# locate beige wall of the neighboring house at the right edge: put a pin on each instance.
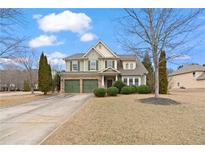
(186, 80)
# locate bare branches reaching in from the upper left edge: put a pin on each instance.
(9, 43)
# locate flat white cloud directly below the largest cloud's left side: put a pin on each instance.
(44, 40)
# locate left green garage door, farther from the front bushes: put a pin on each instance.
(72, 86)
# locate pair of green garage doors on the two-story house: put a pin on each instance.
(73, 86)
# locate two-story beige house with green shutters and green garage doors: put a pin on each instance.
(100, 67)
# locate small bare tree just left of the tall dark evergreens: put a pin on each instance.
(28, 60)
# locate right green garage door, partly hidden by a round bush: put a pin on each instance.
(89, 85)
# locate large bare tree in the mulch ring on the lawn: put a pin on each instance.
(154, 30)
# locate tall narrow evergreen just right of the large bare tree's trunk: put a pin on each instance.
(163, 82)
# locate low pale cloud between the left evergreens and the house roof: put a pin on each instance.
(56, 58)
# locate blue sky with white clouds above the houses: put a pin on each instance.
(62, 32)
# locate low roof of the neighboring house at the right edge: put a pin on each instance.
(188, 68)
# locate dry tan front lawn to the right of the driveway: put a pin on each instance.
(126, 120)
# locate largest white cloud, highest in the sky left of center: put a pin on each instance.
(65, 21)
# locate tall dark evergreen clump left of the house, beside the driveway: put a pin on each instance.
(44, 74)
